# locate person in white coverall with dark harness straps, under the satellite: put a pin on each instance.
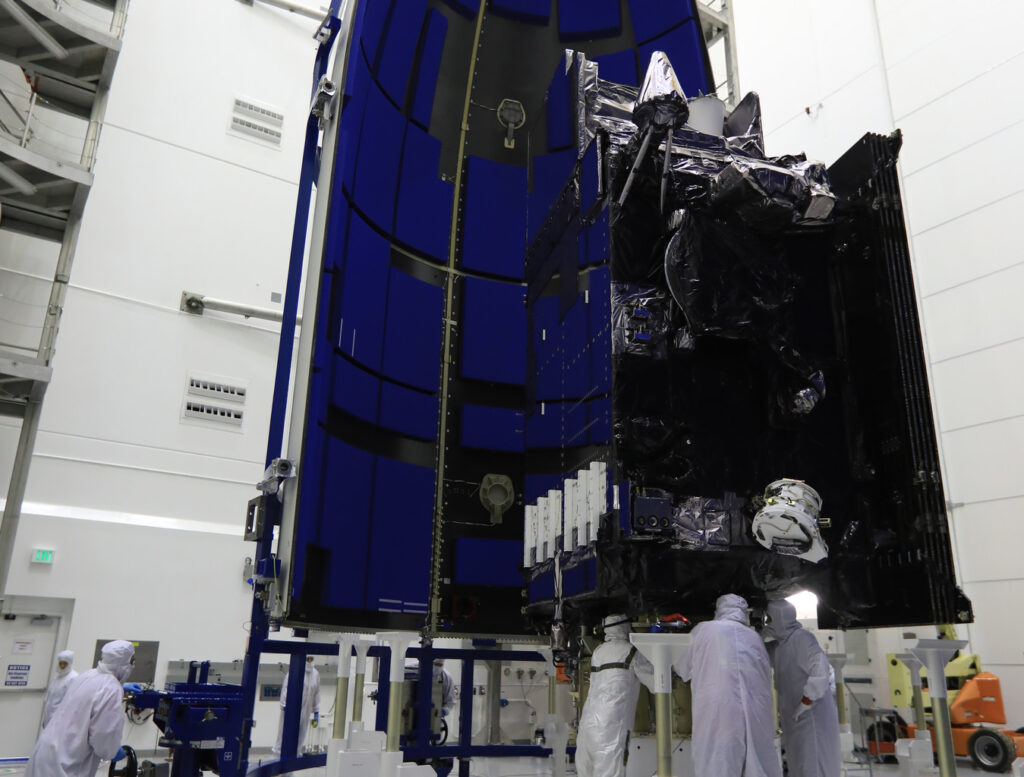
(616, 671)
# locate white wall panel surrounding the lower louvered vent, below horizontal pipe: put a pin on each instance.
(121, 369)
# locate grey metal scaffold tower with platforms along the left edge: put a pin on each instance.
(67, 55)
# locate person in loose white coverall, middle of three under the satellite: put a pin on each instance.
(734, 717)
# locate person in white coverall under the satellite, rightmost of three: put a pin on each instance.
(806, 708)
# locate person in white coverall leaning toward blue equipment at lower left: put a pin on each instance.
(88, 725)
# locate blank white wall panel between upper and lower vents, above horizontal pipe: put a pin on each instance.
(185, 223)
